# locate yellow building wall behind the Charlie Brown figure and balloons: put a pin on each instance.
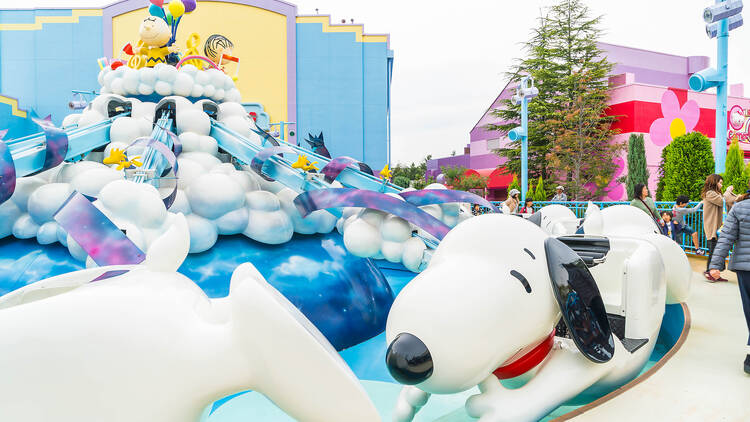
(260, 41)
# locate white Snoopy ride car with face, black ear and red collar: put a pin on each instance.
(488, 304)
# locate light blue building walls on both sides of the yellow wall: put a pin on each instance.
(343, 85)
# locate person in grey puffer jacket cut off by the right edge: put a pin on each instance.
(736, 232)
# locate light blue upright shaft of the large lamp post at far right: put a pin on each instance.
(721, 95)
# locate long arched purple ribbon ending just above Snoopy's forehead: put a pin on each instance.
(314, 200)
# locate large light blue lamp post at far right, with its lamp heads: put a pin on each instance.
(720, 18)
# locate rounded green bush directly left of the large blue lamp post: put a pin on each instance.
(689, 160)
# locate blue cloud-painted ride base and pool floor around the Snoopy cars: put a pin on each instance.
(348, 298)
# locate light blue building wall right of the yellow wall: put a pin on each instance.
(343, 90)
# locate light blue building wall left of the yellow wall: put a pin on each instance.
(40, 67)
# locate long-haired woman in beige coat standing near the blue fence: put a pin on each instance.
(713, 212)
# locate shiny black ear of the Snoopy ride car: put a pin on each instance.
(580, 302)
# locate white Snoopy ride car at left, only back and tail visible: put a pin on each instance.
(144, 343)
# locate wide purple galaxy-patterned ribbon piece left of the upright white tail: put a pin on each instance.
(96, 234)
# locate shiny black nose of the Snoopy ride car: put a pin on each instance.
(408, 359)
